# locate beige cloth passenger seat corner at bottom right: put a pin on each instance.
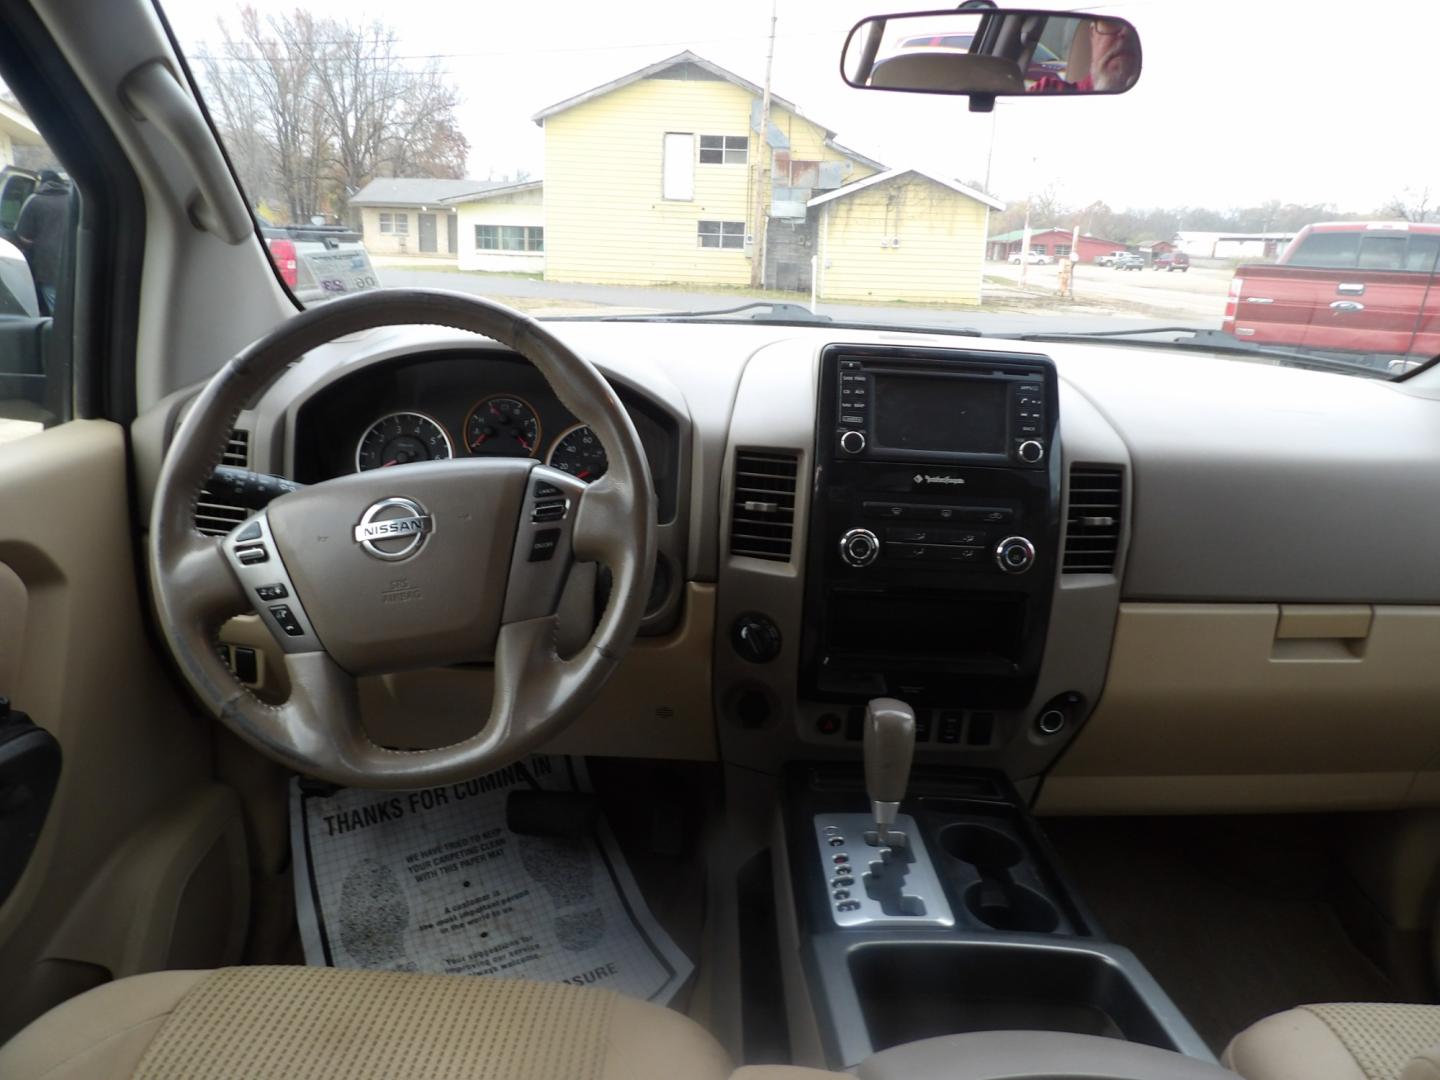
(1344, 1042)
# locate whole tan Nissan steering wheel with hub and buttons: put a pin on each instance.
(404, 568)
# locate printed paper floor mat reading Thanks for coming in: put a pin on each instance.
(433, 881)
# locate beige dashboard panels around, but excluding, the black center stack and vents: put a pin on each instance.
(1262, 644)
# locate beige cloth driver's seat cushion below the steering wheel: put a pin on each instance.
(302, 1023)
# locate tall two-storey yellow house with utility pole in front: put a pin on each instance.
(660, 178)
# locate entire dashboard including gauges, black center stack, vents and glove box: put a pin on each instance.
(1228, 597)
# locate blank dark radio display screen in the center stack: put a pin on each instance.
(942, 414)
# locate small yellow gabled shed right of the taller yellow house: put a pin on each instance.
(904, 235)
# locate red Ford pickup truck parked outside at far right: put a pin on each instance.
(1346, 287)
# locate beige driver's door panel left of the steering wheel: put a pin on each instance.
(143, 855)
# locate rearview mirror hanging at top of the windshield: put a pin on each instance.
(993, 53)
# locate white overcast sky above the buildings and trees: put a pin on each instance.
(1241, 100)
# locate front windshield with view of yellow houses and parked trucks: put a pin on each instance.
(665, 159)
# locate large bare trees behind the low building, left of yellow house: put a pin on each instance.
(312, 110)
